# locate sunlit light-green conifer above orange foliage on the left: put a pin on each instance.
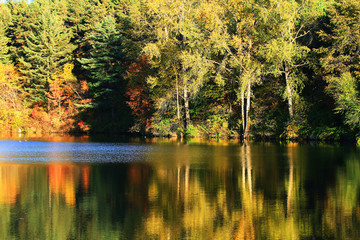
(47, 49)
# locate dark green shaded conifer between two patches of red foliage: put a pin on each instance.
(106, 67)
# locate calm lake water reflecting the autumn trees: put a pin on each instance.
(67, 188)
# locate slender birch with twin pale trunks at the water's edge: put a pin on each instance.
(241, 45)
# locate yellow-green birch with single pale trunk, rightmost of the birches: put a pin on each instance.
(284, 52)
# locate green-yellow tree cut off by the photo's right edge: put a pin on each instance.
(340, 61)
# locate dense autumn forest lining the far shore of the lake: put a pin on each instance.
(209, 68)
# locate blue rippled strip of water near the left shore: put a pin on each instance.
(37, 151)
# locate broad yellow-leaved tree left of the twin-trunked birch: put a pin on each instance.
(178, 52)
